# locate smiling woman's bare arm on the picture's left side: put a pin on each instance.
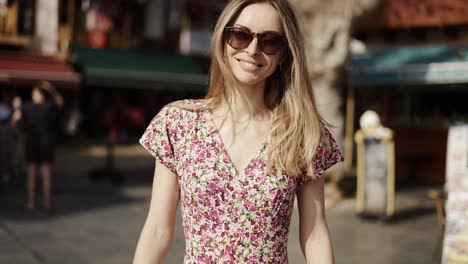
(158, 231)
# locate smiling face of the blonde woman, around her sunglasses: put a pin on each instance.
(250, 65)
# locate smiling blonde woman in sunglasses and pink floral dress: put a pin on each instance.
(236, 159)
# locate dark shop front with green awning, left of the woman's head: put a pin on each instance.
(123, 89)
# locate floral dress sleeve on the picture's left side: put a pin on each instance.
(158, 139)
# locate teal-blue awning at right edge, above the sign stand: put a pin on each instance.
(410, 65)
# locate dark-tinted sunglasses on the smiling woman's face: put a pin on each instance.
(240, 38)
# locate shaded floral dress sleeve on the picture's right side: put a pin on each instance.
(326, 155)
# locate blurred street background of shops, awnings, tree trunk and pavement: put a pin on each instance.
(117, 62)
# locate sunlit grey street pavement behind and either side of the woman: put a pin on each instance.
(100, 222)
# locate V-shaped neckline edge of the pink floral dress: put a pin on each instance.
(254, 156)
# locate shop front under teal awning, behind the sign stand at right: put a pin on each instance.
(418, 91)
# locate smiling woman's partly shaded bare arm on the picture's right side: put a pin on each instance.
(314, 238)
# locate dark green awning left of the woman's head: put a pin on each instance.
(134, 69)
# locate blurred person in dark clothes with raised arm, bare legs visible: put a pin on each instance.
(38, 122)
